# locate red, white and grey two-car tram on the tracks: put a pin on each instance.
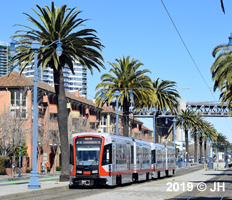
(105, 159)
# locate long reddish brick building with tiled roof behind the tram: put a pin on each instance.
(16, 97)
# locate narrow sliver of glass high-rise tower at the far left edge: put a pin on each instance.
(3, 58)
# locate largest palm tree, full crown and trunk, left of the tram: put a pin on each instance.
(82, 45)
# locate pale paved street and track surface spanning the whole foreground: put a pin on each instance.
(173, 188)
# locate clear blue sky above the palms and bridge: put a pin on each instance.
(144, 31)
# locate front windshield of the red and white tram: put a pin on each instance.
(88, 154)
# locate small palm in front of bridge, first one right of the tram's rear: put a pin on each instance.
(187, 116)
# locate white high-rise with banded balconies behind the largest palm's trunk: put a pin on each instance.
(72, 83)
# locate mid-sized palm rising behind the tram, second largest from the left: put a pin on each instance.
(123, 76)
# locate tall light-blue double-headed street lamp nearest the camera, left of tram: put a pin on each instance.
(35, 46)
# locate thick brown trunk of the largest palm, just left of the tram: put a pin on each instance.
(62, 122)
